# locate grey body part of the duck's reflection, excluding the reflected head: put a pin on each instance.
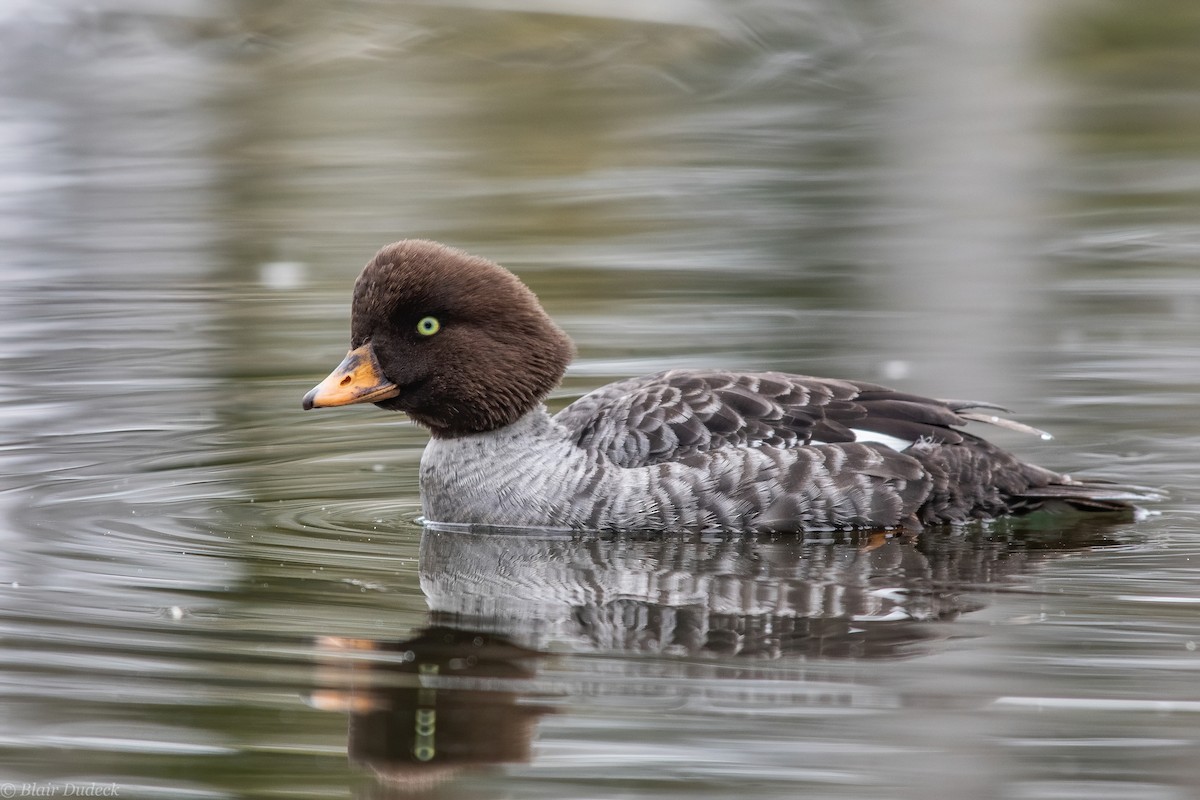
(862, 596)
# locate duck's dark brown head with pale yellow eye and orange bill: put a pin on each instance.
(453, 340)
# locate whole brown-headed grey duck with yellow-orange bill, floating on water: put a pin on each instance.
(463, 347)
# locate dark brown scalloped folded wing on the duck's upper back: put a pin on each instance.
(675, 414)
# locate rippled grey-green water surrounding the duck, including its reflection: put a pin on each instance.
(206, 592)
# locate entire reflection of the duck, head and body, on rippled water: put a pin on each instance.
(465, 693)
